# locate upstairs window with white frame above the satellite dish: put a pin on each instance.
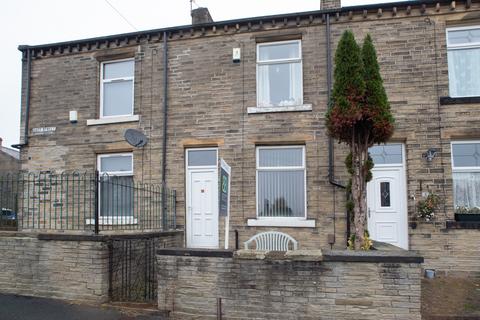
(116, 91)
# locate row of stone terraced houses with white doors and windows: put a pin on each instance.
(254, 93)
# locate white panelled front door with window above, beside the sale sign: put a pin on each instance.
(202, 198)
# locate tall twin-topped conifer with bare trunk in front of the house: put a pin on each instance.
(359, 116)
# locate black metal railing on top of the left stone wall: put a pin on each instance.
(84, 201)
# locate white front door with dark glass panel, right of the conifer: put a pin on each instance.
(387, 196)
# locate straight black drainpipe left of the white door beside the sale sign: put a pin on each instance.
(164, 147)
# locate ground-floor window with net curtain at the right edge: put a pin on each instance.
(466, 175)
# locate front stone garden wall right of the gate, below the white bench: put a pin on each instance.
(293, 285)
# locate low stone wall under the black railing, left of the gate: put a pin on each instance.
(62, 266)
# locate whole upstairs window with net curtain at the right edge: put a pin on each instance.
(463, 44)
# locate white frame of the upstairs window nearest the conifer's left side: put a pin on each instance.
(277, 61)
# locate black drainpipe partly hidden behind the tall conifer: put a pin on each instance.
(331, 162)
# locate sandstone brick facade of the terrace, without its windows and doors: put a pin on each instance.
(208, 97)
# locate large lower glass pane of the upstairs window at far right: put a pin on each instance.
(464, 72)
